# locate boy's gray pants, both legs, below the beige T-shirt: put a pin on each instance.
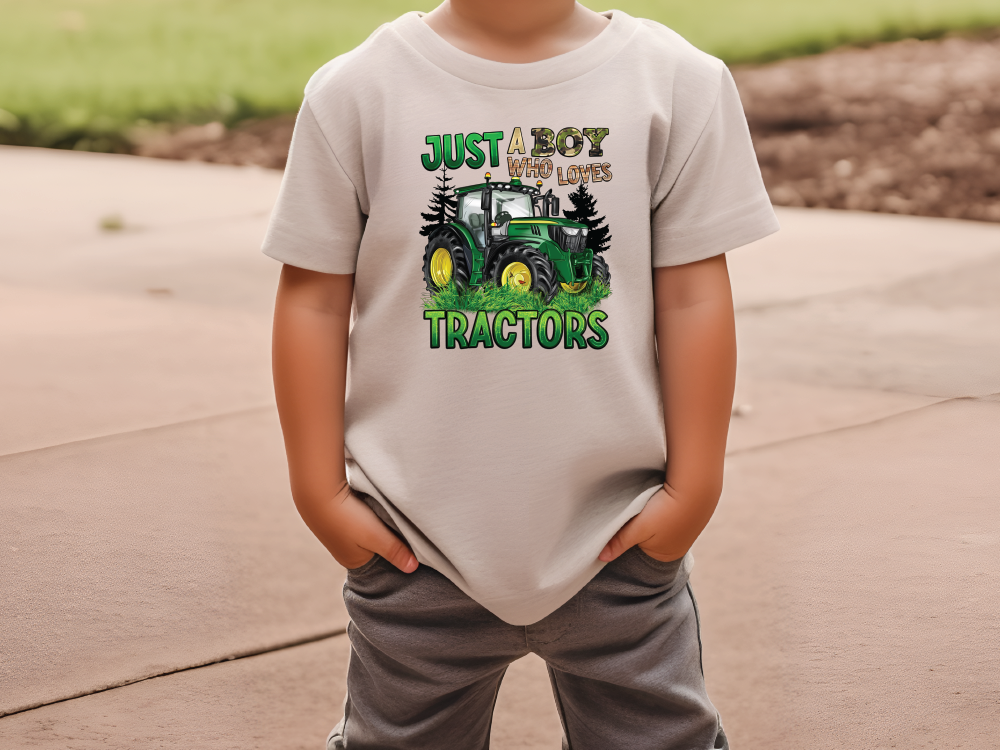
(624, 660)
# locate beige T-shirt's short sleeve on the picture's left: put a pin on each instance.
(317, 220)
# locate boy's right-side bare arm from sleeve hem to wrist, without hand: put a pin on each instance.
(696, 341)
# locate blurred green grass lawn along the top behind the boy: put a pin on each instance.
(81, 72)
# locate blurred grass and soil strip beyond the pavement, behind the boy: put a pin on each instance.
(904, 128)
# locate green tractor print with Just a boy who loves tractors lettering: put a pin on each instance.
(500, 263)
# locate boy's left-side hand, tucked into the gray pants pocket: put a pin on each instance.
(353, 534)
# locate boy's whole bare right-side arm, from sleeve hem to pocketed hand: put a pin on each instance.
(696, 342)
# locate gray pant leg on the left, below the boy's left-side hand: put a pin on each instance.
(426, 662)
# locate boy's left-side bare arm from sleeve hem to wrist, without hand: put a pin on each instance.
(309, 360)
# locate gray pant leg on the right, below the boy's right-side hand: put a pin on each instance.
(626, 666)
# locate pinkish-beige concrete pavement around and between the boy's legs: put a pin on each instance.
(159, 590)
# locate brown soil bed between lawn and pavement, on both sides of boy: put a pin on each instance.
(910, 127)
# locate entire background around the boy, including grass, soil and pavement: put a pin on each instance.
(157, 588)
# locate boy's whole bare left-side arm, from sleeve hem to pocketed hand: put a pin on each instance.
(309, 358)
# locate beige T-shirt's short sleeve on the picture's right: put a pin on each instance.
(713, 197)
